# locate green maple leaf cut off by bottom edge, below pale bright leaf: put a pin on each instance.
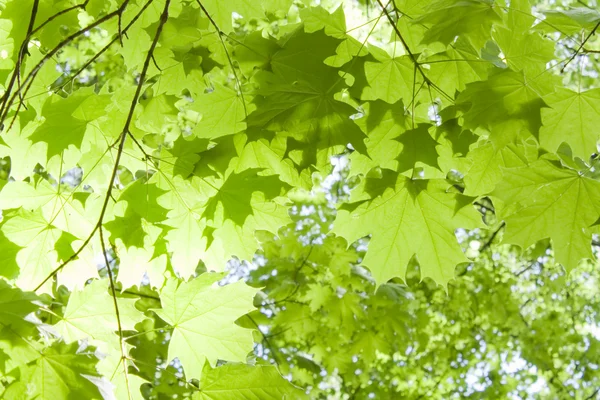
(241, 381)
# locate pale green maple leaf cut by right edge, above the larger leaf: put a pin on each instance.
(573, 117)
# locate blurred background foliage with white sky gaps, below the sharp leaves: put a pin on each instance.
(511, 325)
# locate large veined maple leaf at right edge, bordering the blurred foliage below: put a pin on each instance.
(545, 200)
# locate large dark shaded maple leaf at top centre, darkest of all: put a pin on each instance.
(297, 100)
